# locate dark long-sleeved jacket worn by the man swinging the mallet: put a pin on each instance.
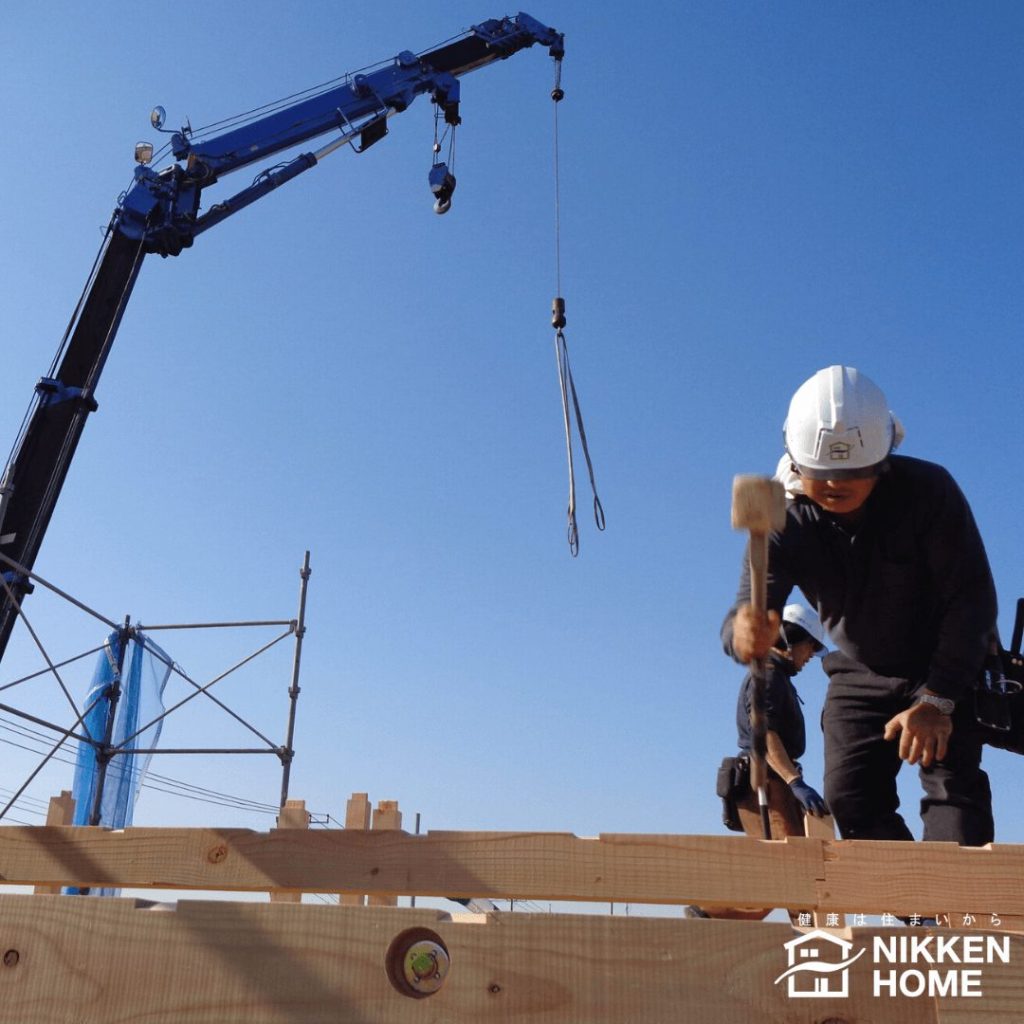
(907, 592)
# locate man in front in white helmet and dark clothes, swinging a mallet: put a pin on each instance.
(885, 547)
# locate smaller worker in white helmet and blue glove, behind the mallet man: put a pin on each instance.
(800, 639)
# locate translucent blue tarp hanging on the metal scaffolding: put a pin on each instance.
(145, 674)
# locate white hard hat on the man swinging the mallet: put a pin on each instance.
(840, 426)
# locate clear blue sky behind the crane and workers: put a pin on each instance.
(750, 192)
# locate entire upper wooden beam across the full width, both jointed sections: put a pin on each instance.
(797, 873)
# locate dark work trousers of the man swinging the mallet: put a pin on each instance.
(862, 767)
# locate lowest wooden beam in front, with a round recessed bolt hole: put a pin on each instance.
(106, 962)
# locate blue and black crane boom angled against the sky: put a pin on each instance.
(162, 214)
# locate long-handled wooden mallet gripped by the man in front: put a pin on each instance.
(759, 507)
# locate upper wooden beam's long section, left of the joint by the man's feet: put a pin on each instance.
(529, 866)
